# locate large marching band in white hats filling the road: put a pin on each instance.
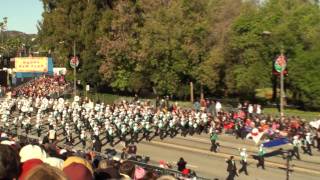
(88, 120)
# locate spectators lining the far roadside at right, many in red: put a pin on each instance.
(240, 121)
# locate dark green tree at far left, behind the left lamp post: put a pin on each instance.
(65, 22)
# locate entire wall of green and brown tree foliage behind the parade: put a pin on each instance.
(163, 45)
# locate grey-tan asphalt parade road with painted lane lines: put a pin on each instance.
(212, 165)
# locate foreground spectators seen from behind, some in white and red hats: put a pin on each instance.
(30, 160)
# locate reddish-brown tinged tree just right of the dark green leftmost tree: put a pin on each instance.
(120, 47)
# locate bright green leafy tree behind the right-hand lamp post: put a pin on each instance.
(293, 26)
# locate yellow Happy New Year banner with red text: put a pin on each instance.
(31, 64)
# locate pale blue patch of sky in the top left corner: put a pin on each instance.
(23, 15)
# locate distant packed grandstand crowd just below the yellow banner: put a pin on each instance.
(43, 86)
